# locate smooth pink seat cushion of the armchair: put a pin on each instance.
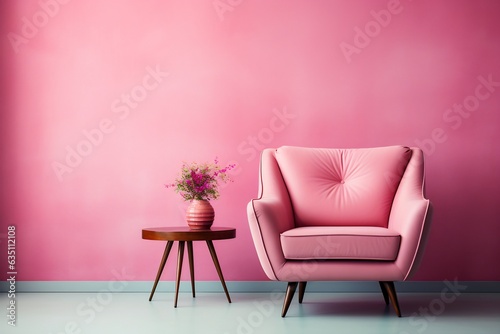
(340, 243)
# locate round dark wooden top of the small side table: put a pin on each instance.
(184, 233)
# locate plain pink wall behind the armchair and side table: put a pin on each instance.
(137, 87)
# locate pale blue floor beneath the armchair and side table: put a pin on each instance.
(249, 313)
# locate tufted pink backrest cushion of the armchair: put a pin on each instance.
(342, 187)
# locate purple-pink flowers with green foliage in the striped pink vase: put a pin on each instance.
(200, 181)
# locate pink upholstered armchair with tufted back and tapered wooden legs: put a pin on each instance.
(340, 215)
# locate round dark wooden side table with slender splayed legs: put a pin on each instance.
(184, 234)
